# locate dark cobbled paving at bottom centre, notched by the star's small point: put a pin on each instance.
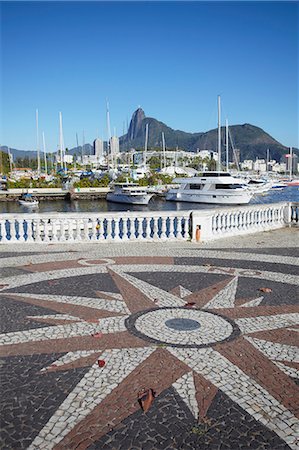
(170, 425)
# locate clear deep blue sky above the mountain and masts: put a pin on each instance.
(172, 58)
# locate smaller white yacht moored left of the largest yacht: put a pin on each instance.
(130, 193)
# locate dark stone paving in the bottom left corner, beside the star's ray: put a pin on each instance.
(28, 398)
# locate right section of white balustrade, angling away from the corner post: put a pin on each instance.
(218, 223)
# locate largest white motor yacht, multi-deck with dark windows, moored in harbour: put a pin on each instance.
(211, 187)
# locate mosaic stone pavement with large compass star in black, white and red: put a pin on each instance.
(213, 331)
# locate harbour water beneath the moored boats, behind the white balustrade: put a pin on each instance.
(288, 194)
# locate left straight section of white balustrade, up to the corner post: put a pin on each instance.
(93, 227)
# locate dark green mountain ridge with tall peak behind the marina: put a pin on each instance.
(252, 141)
